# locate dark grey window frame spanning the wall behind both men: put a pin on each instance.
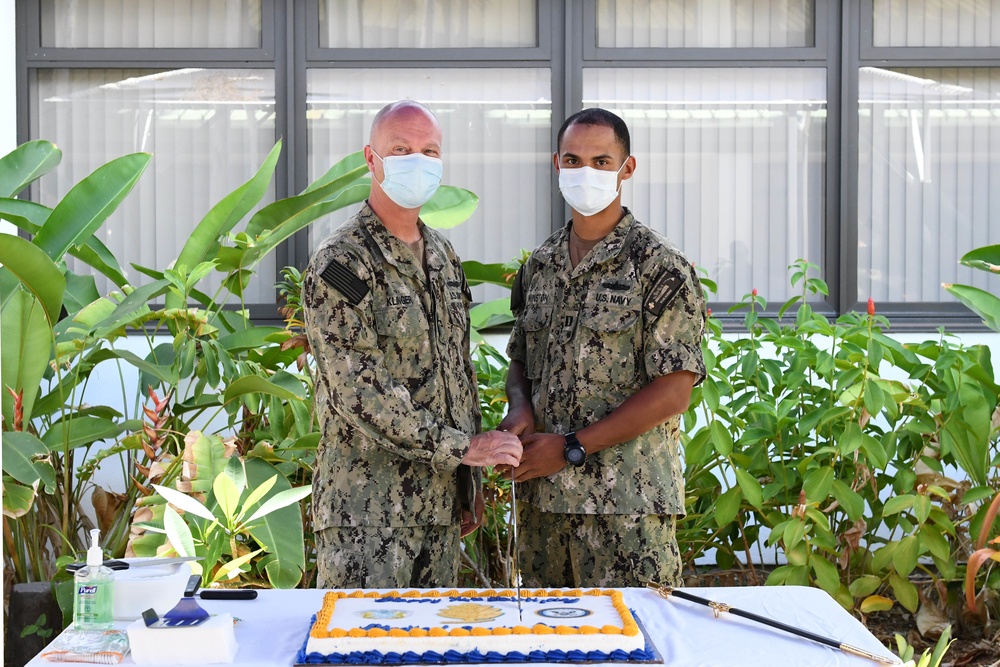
(567, 45)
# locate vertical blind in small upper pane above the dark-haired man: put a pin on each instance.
(705, 23)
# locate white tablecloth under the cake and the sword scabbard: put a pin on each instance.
(273, 627)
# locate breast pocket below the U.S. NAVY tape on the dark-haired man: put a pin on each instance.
(608, 339)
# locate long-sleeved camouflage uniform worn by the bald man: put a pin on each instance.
(396, 401)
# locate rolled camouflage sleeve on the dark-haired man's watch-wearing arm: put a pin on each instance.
(673, 340)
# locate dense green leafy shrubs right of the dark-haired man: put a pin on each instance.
(834, 444)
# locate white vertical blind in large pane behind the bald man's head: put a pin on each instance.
(496, 125)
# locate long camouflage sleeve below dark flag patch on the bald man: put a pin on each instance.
(352, 370)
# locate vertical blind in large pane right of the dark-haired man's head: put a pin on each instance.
(731, 165)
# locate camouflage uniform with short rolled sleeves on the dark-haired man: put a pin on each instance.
(589, 338)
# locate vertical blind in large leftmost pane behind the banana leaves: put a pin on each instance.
(208, 131)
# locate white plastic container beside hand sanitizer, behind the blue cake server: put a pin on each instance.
(159, 587)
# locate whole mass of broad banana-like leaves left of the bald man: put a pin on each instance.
(207, 366)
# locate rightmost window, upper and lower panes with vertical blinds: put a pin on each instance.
(928, 149)
